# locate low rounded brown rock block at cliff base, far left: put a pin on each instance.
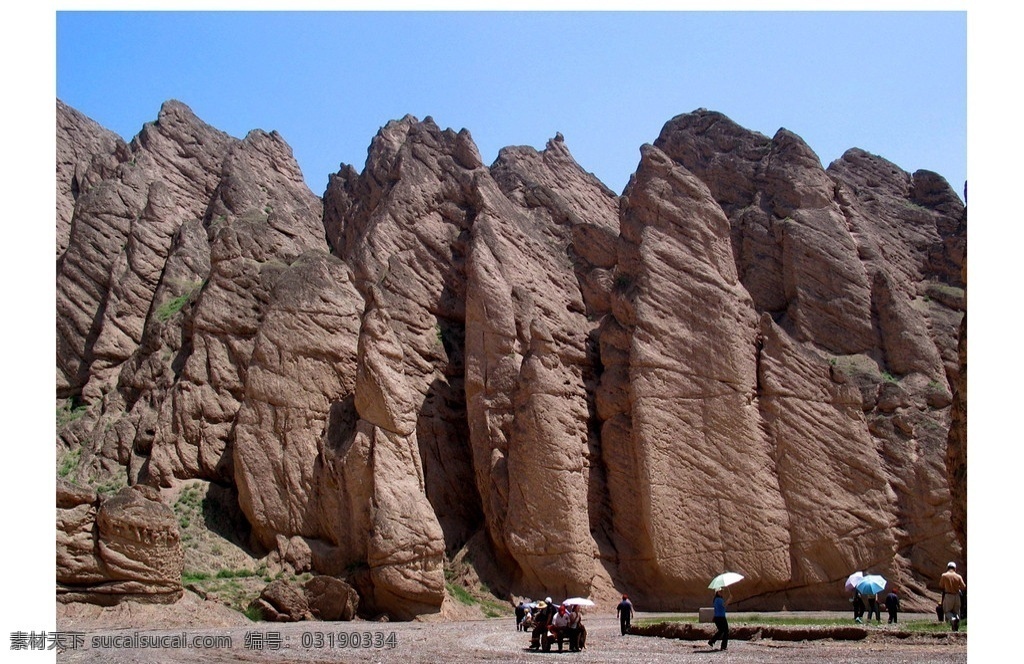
(117, 549)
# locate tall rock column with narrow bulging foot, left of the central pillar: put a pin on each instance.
(400, 225)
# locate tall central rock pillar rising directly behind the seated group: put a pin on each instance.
(534, 298)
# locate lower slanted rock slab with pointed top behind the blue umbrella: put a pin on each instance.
(831, 474)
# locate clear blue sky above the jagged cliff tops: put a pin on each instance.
(891, 84)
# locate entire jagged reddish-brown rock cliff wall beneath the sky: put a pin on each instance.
(746, 362)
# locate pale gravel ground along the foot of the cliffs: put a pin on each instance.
(488, 641)
